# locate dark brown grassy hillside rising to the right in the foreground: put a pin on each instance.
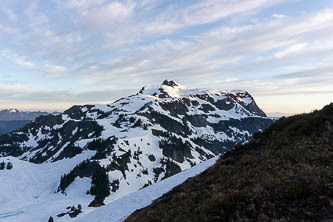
(282, 174)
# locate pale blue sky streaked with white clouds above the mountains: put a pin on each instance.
(57, 53)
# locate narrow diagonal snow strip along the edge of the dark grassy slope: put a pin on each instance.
(120, 209)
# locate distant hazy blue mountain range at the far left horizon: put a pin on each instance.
(11, 119)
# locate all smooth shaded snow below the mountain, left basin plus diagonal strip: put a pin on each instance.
(30, 196)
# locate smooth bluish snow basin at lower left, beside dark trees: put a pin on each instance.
(27, 191)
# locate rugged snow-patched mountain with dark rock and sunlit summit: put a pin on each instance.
(136, 141)
